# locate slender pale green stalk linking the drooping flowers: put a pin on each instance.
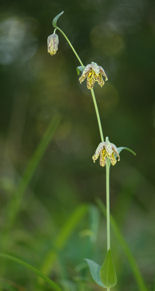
(102, 139)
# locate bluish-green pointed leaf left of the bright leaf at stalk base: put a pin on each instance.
(95, 272)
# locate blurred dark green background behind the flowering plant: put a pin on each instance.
(50, 217)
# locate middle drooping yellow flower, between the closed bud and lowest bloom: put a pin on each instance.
(93, 73)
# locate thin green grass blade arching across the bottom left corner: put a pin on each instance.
(51, 283)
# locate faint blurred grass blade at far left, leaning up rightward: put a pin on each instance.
(14, 204)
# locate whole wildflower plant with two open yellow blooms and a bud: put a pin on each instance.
(107, 152)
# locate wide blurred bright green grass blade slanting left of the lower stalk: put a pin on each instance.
(63, 237)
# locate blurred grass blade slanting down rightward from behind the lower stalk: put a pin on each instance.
(126, 249)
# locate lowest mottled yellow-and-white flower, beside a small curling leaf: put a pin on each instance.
(106, 150)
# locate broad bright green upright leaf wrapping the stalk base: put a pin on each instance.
(107, 272)
